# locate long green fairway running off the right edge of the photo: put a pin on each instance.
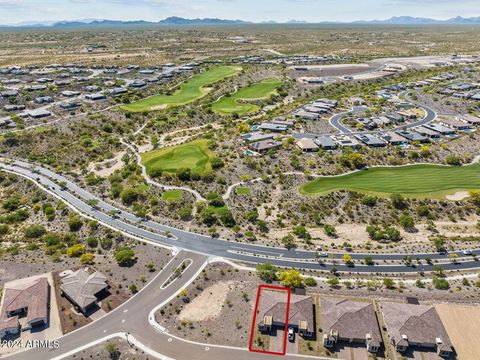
(416, 181)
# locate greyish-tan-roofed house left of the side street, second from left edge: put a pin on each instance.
(82, 288)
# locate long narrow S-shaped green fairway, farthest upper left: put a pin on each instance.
(188, 92)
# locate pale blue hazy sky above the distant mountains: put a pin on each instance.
(14, 11)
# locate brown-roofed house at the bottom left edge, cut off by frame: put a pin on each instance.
(30, 299)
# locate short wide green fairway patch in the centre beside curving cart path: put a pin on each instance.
(194, 155)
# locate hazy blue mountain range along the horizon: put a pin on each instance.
(179, 21)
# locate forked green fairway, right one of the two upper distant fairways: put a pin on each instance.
(230, 104)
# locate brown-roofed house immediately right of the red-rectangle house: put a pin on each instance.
(350, 321)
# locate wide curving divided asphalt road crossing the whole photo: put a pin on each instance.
(130, 224)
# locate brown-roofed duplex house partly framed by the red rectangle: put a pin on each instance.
(273, 307)
